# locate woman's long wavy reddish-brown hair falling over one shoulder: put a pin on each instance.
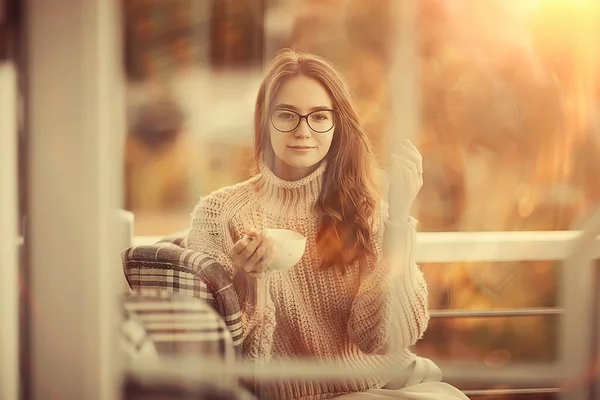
(348, 202)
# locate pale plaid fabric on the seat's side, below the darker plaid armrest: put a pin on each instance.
(159, 322)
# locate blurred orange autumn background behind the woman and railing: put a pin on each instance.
(506, 96)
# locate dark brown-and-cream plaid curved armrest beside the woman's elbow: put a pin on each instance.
(170, 267)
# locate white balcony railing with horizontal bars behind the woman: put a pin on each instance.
(575, 323)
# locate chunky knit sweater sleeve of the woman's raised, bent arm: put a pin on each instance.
(389, 312)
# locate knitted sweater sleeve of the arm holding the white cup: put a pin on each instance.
(210, 235)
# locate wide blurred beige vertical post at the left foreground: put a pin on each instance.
(74, 106)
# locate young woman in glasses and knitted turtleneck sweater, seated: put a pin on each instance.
(343, 302)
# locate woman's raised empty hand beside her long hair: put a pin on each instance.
(406, 180)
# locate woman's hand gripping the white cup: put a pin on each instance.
(253, 253)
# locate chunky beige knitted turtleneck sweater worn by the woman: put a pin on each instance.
(365, 318)
